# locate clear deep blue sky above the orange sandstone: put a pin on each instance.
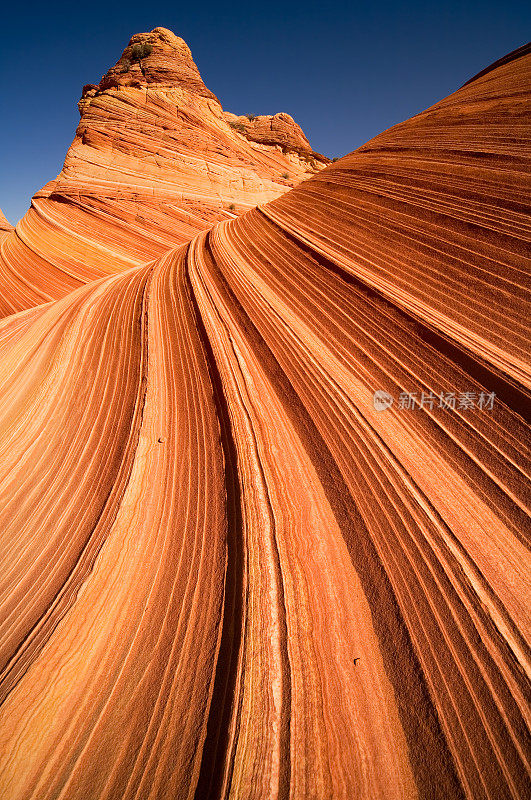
(345, 71)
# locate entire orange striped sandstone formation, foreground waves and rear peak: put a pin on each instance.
(224, 573)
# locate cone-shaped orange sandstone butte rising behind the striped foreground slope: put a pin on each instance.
(154, 161)
